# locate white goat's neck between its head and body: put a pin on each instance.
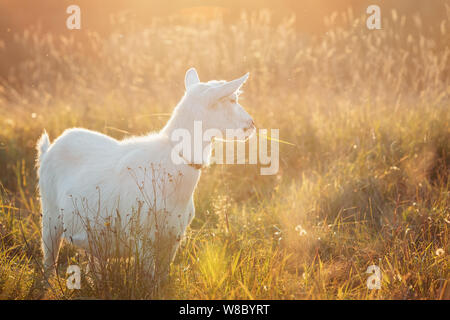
(178, 122)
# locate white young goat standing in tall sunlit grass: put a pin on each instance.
(105, 176)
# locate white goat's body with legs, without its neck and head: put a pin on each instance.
(87, 177)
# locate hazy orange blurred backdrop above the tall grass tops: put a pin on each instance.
(50, 14)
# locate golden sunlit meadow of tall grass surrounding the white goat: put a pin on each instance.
(363, 181)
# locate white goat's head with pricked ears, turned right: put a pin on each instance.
(215, 104)
